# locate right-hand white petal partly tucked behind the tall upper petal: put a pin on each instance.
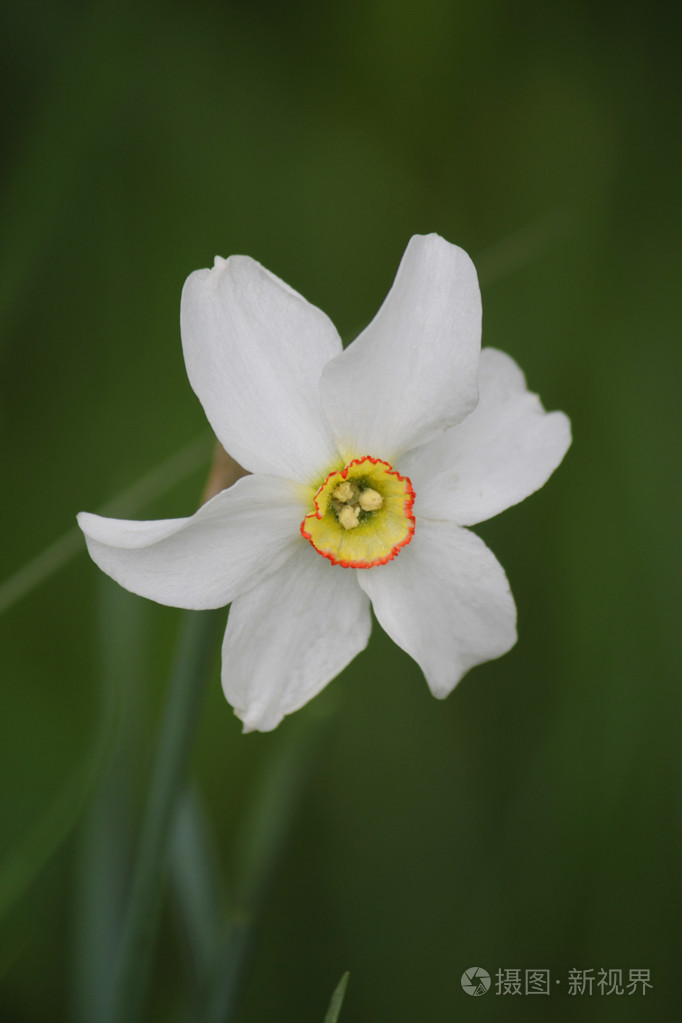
(507, 450)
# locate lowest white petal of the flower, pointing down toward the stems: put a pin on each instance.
(291, 636)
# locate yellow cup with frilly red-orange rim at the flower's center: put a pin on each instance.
(362, 516)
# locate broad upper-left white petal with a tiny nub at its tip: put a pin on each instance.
(255, 350)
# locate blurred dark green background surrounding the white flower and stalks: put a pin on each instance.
(532, 820)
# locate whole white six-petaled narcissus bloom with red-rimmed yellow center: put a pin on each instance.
(339, 443)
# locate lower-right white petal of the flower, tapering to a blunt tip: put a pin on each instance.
(446, 601)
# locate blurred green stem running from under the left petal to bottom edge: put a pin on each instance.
(198, 646)
